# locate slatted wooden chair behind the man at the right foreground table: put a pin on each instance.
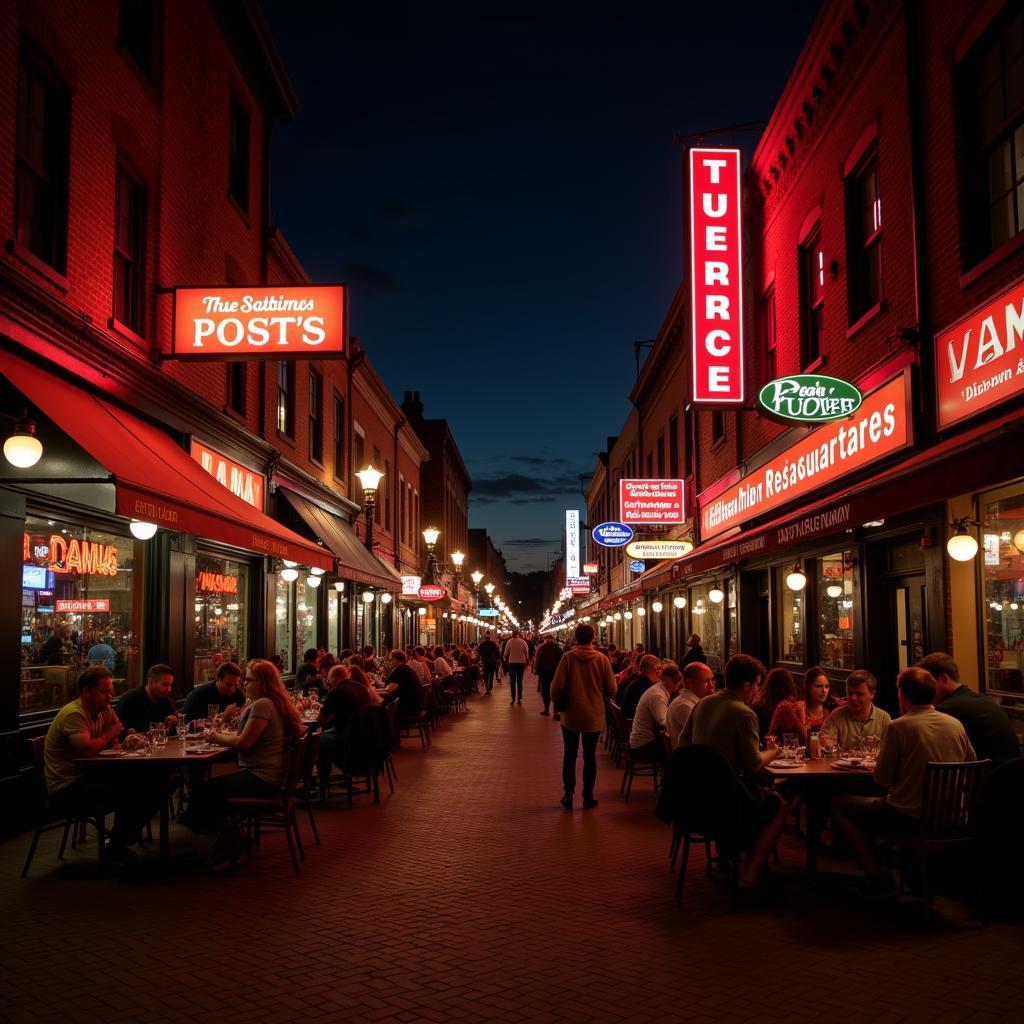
(952, 812)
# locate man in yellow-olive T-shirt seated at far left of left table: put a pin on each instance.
(82, 730)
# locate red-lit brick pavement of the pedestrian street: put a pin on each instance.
(472, 897)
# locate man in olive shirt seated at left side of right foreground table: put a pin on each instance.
(727, 722)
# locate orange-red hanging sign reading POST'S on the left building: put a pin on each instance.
(259, 323)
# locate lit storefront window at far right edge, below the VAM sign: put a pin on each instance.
(1003, 570)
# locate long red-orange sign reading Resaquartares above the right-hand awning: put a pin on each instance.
(879, 429)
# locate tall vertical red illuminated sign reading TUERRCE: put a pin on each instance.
(716, 277)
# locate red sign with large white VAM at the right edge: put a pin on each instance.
(979, 361)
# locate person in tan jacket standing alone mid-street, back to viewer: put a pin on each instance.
(586, 676)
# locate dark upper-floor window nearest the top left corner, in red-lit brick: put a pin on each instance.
(41, 162)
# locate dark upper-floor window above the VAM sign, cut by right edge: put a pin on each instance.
(994, 130)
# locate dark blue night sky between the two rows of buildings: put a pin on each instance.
(500, 188)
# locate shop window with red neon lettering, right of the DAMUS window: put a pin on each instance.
(222, 620)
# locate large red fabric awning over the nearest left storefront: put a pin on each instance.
(154, 479)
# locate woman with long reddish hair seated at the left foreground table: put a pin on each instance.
(269, 729)
